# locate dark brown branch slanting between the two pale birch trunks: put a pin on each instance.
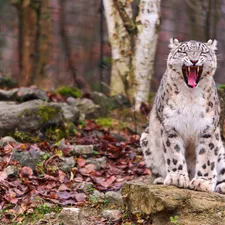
(129, 24)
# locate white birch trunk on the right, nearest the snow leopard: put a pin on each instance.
(148, 28)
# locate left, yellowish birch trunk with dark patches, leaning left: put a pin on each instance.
(121, 48)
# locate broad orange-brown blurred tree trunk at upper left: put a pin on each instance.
(34, 39)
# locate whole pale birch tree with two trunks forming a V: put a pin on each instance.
(133, 42)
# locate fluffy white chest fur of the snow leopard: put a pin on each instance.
(187, 114)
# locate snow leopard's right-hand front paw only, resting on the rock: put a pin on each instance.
(201, 184)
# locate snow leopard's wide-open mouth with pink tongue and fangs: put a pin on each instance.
(192, 75)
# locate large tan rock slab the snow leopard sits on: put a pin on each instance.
(160, 204)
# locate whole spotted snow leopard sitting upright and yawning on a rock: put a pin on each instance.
(182, 145)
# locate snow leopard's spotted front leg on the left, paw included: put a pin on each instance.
(176, 165)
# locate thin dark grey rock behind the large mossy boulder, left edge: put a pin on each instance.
(23, 94)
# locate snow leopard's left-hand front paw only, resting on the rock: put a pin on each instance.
(177, 179)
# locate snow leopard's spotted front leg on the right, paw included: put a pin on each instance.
(205, 172)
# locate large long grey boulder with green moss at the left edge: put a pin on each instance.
(29, 116)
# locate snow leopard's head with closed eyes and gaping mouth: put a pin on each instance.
(192, 61)
